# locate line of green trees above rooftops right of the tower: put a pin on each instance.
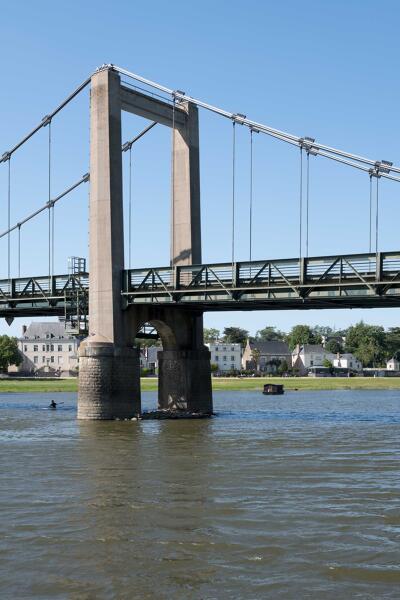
(372, 345)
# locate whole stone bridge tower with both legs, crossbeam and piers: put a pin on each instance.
(109, 367)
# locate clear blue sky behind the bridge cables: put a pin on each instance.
(317, 68)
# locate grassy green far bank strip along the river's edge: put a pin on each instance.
(234, 384)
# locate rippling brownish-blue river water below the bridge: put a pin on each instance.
(287, 497)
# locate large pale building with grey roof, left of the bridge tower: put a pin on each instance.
(47, 349)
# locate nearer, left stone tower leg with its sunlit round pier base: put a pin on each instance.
(109, 372)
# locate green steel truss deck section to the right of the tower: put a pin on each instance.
(349, 281)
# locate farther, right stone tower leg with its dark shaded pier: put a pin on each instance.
(184, 370)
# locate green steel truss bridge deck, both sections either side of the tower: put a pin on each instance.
(347, 281)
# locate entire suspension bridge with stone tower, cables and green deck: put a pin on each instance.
(112, 305)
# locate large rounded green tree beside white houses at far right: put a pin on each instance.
(367, 343)
